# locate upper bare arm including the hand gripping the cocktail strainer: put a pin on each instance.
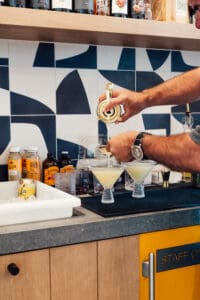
(184, 88)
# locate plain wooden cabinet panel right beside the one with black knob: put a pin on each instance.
(74, 272)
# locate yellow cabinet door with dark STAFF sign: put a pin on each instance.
(177, 263)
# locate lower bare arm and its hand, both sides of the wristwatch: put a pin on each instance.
(178, 152)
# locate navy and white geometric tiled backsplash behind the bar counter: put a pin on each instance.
(49, 92)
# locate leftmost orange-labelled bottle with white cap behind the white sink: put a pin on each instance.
(14, 164)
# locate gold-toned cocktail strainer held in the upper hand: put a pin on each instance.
(113, 114)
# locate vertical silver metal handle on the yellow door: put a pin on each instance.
(149, 272)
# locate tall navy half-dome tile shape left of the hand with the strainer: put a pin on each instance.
(71, 97)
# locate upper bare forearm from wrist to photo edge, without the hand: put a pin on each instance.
(184, 88)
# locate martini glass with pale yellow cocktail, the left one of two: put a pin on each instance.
(106, 170)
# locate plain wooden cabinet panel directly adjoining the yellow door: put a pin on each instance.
(118, 265)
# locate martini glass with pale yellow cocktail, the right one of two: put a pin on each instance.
(138, 170)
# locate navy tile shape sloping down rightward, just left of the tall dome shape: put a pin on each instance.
(23, 105)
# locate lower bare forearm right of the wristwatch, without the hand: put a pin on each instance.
(178, 152)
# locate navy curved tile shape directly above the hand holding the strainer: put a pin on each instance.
(125, 79)
